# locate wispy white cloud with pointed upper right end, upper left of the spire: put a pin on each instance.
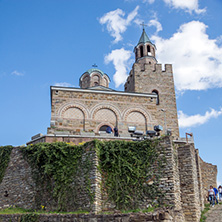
(116, 24)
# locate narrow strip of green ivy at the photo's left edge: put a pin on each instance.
(5, 152)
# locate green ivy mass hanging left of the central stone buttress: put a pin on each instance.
(56, 167)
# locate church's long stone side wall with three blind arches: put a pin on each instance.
(78, 110)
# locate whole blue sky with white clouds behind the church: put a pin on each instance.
(53, 42)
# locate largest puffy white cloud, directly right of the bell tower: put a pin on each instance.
(197, 59)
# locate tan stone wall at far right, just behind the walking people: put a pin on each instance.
(209, 177)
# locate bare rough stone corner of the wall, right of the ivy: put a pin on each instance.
(169, 181)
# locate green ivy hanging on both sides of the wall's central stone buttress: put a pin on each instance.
(130, 171)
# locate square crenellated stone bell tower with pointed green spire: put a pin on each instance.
(147, 76)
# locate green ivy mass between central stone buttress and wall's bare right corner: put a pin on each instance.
(127, 168)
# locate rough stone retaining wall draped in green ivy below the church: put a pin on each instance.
(95, 176)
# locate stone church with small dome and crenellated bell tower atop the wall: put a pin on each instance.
(148, 100)
